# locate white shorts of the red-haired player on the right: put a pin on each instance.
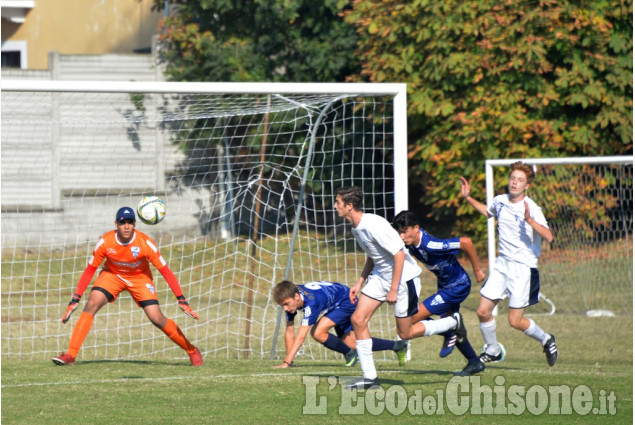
(516, 280)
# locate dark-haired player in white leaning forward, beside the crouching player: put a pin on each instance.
(391, 275)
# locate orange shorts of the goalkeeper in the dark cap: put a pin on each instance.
(140, 287)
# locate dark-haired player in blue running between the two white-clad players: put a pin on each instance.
(453, 282)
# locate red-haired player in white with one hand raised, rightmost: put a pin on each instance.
(521, 229)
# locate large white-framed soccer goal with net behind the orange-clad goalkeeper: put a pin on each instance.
(247, 171)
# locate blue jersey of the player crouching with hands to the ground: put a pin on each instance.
(320, 298)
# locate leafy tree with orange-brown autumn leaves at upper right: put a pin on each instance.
(500, 79)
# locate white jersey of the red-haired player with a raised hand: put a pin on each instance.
(517, 240)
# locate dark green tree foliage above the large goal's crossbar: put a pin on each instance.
(263, 40)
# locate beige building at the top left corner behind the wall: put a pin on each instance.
(33, 28)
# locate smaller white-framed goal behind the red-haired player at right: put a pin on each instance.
(588, 202)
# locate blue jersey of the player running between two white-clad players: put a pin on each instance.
(439, 256)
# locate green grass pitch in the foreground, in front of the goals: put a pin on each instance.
(596, 356)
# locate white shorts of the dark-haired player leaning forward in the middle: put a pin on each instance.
(407, 304)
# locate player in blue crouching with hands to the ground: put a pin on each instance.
(325, 305)
